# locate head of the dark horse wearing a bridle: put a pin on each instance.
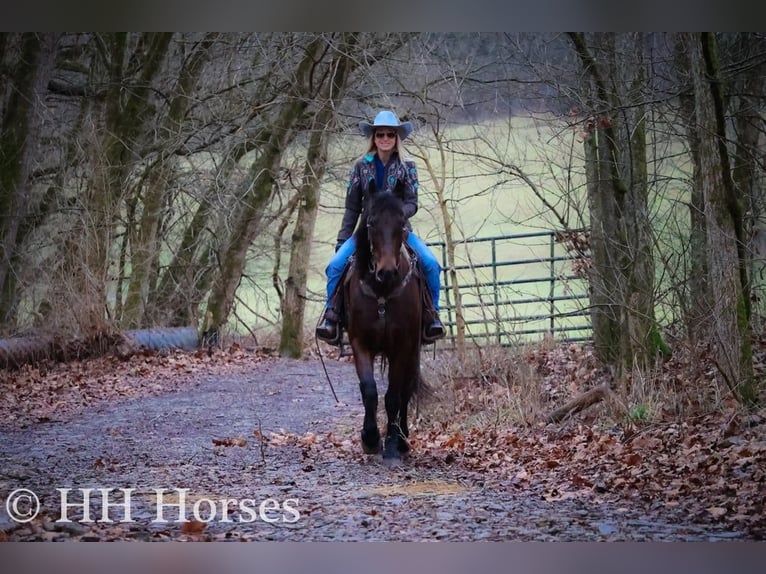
(386, 233)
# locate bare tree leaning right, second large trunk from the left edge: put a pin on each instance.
(130, 64)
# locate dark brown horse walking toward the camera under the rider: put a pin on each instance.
(385, 306)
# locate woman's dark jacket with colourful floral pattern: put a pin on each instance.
(359, 182)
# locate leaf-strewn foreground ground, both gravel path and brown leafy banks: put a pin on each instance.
(694, 478)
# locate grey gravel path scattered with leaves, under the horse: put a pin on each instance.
(307, 471)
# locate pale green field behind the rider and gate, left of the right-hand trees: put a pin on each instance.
(484, 200)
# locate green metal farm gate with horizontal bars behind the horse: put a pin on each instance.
(516, 289)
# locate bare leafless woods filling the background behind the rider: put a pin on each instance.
(145, 176)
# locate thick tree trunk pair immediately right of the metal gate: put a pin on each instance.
(622, 277)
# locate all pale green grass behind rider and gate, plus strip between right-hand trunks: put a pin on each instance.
(484, 199)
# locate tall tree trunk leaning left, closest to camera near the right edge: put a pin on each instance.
(723, 215)
